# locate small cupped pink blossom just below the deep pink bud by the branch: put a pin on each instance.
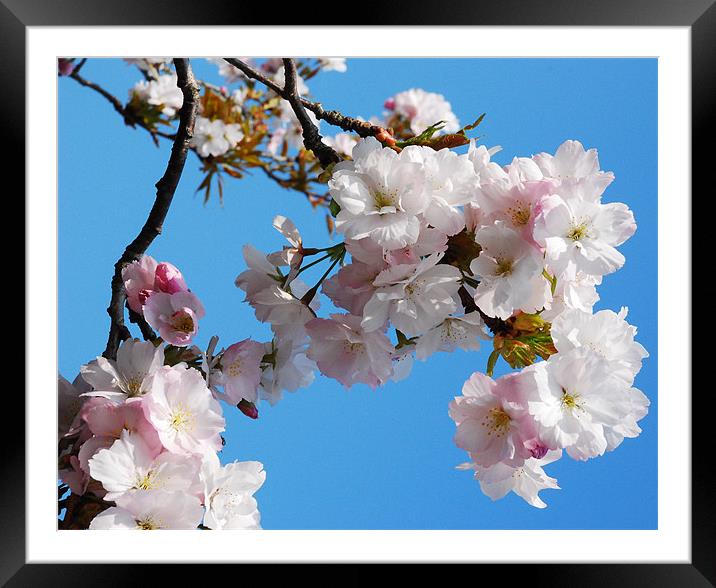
(175, 316)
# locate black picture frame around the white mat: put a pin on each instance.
(699, 15)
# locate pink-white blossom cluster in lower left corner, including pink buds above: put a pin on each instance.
(141, 432)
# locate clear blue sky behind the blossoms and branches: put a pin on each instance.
(359, 459)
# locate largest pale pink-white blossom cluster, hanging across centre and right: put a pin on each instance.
(444, 249)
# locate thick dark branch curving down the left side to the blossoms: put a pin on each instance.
(166, 187)
